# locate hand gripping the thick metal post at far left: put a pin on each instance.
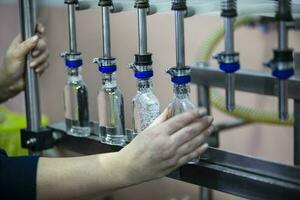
(14, 60)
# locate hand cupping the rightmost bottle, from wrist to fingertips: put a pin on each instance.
(166, 145)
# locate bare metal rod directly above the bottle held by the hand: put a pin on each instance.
(180, 46)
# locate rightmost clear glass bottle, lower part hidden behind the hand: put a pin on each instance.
(181, 101)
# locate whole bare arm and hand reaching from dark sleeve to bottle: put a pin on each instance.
(152, 154)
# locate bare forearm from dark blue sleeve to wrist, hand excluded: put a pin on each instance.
(81, 177)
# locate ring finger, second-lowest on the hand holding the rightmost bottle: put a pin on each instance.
(193, 144)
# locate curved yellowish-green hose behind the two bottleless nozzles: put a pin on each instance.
(218, 101)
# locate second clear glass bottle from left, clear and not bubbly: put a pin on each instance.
(111, 111)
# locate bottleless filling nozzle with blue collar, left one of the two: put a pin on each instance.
(229, 59)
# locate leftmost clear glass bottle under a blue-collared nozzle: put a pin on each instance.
(76, 105)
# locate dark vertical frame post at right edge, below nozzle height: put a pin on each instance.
(297, 132)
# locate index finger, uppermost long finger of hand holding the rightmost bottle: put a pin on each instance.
(178, 122)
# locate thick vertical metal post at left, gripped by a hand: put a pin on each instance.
(27, 11)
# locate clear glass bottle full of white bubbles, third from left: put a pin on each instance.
(145, 106)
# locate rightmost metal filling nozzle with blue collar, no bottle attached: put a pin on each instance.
(282, 63)
